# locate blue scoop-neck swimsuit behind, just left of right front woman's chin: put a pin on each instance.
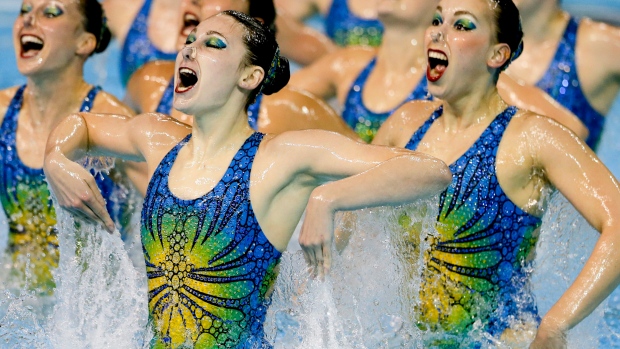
(365, 122)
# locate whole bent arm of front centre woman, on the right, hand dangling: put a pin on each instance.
(347, 175)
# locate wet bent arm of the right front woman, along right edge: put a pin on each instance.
(580, 176)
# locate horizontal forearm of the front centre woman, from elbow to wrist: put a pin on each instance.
(400, 180)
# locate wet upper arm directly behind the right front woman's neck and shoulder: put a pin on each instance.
(534, 99)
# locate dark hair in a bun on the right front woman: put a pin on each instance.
(509, 29)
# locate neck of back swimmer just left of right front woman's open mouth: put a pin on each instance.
(402, 49)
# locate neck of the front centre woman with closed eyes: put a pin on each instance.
(219, 130)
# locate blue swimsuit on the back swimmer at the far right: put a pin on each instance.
(562, 83)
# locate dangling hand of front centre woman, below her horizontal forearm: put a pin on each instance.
(317, 234)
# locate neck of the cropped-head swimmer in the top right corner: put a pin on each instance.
(539, 23)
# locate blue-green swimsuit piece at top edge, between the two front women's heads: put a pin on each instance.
(346, 29)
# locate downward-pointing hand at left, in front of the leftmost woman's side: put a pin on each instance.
(77, 191)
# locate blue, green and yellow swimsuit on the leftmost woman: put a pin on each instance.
(26, 201)
